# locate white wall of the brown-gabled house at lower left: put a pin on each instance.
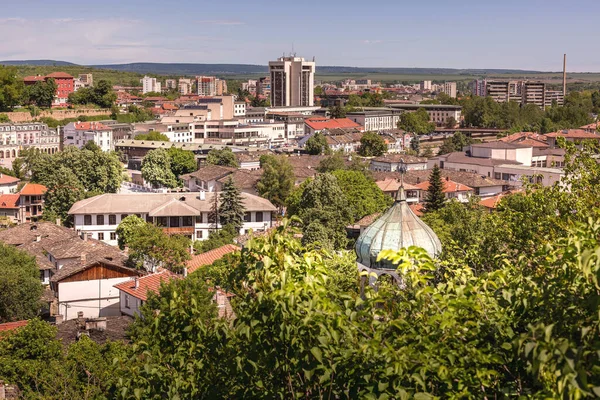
(95, 298)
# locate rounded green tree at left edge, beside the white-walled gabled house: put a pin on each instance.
(20, 286)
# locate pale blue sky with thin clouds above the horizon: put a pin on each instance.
(524, 34)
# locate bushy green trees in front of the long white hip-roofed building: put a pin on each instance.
(150, 247)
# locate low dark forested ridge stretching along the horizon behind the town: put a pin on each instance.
(244, 69)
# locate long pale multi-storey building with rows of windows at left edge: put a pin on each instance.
(15, 137)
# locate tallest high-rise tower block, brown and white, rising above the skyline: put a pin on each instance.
(292, 82)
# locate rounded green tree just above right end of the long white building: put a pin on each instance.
(277, 180)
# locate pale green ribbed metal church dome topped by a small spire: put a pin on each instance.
(397, 228)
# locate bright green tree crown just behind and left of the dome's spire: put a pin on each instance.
(364, 196)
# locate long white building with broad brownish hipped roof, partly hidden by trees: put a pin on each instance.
(185, 214)
